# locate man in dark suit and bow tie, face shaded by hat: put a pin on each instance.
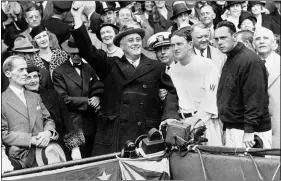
(80, 89)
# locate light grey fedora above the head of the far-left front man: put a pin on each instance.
(22, 44)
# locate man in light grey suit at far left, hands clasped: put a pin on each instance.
(26, 123)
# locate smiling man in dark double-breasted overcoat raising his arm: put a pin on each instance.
(130, 105)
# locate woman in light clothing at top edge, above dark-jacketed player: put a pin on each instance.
(234, 10)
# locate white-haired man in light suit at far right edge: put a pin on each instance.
(264, 45)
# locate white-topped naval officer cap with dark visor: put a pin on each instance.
(159, 39)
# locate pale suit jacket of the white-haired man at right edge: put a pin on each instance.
(274, 97)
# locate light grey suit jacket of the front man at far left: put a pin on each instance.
(19, 123)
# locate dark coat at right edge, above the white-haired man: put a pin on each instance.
(272, 21)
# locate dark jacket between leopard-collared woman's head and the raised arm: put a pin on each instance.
(59, 28)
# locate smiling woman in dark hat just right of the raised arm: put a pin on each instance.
(106, 34)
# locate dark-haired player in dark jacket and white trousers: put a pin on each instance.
(242, 96)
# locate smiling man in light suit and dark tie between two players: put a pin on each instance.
(201, 45)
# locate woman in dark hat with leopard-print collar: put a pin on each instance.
(47, 58)
